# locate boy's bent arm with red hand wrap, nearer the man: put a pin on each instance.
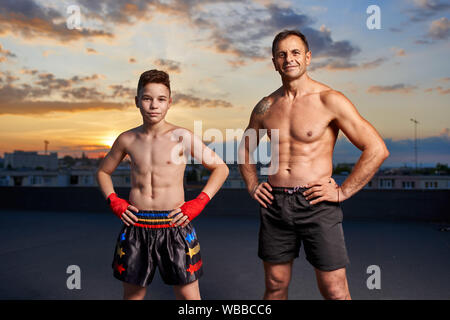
(219, 173)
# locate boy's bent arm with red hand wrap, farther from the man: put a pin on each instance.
(120, 207)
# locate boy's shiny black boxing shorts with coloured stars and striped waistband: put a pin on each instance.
(153, 243)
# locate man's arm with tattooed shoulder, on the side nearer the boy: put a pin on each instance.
(247, 166)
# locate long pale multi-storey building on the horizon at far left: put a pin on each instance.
(31, 160)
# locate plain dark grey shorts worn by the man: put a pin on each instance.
(291, 220)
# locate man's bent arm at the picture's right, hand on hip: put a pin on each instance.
(361, 134)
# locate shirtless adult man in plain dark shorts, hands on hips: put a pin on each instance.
(300, 202)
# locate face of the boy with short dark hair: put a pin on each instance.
(153, 102)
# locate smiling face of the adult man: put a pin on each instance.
(291, 58)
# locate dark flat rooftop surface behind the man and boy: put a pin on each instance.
(38, 246)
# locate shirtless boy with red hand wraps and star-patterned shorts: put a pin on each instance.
(157, 231)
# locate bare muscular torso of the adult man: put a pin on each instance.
(307, 136)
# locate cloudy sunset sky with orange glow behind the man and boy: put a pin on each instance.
(76, 87)
